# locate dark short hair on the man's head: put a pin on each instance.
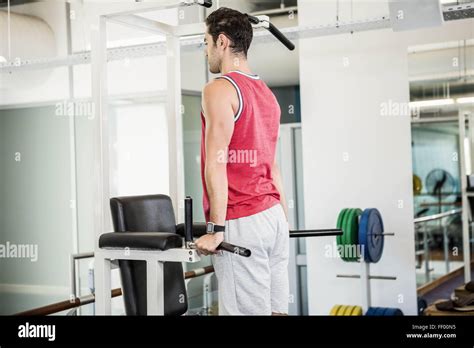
(233, 24)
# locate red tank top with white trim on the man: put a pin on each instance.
(251, 151)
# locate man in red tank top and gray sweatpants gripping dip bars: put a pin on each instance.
(243, 195)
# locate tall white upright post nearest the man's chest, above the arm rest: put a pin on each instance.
(175, 126)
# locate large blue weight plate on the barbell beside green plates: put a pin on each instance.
(371, 235)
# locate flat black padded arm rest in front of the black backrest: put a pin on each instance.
(140, 240)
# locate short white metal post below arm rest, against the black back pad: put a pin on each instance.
(154, 287)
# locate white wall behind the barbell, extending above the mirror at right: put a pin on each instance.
(341, 114)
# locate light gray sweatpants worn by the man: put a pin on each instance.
(257, 285)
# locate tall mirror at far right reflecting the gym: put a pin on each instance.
(441, 89)
